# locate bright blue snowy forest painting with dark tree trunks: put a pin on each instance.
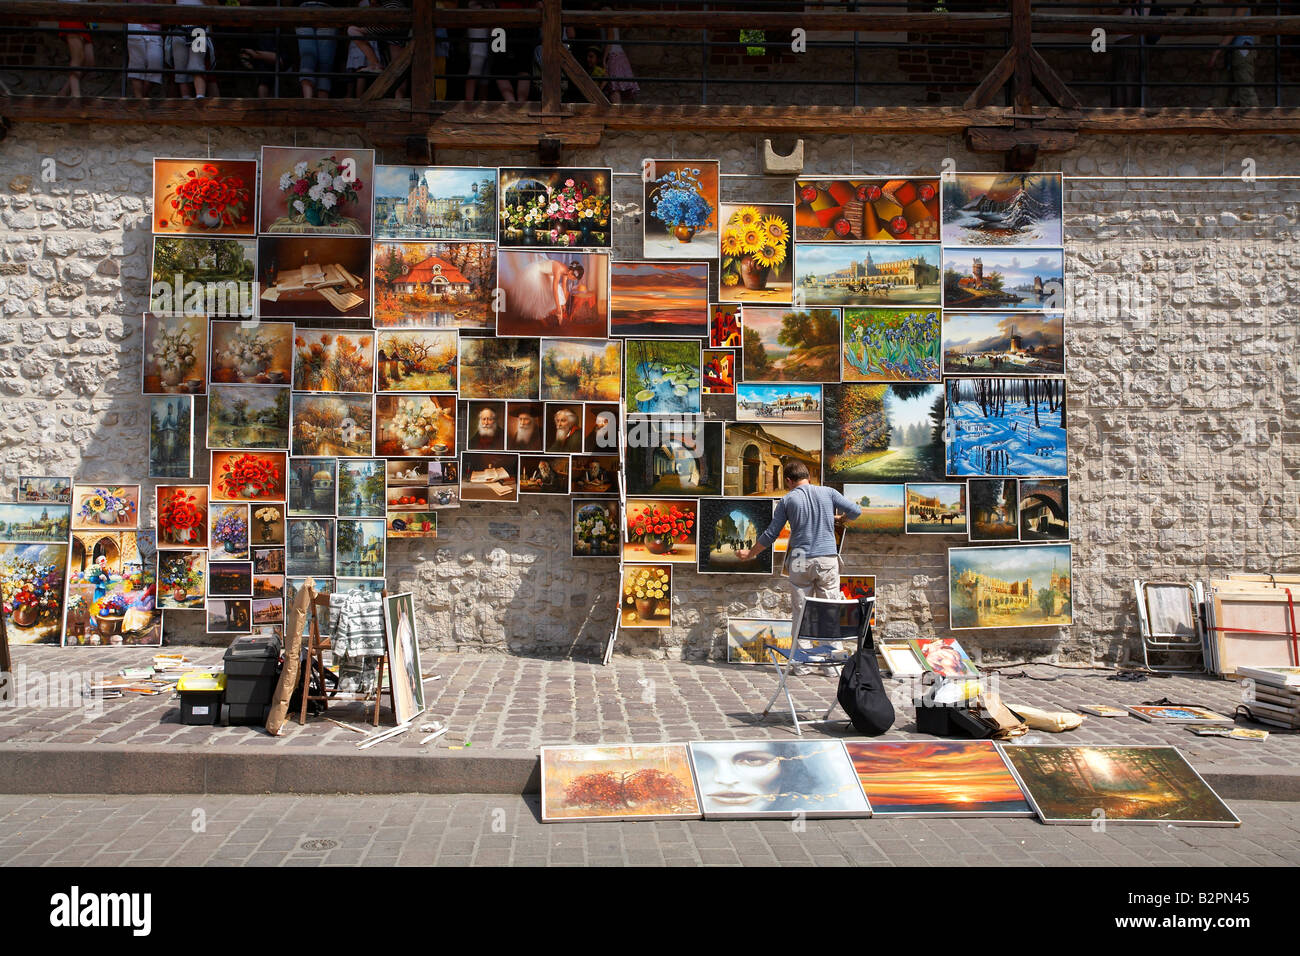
(1013, 427)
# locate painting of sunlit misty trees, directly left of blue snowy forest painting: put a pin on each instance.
(885, 432)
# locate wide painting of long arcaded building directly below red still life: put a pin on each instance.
(869, 274)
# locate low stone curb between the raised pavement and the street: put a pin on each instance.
(122, 771)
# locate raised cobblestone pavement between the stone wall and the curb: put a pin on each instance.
(500, 703)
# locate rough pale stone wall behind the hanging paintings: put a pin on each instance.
(1182, 341)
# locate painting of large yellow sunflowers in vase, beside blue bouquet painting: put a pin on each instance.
(757, 254)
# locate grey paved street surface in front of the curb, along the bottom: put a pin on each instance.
(506, 830)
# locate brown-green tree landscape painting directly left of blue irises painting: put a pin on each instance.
(790, 345)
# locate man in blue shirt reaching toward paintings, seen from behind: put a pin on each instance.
(813, 513)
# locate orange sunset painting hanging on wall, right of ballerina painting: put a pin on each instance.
(660, 300)
